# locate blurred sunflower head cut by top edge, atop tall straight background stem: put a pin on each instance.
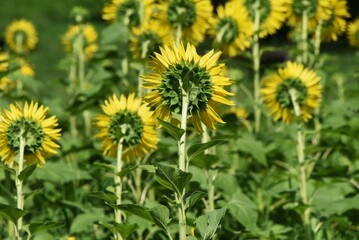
(272, 14)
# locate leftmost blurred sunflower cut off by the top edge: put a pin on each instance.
(131, 12)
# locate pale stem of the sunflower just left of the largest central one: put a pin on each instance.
(118, 185)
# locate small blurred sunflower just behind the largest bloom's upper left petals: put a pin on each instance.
(148, 38)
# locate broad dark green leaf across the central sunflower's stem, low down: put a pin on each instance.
(172, 178)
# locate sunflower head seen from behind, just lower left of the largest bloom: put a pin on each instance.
(129, 120)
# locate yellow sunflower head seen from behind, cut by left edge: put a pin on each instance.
(39, 132)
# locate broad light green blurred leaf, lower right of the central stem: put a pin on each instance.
(243, 210)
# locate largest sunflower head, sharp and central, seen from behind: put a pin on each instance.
(201, 77)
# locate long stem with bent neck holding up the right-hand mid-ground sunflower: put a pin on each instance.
(302, 166)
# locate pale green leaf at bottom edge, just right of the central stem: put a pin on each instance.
(207, 225)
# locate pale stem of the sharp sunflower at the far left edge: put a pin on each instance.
(19, 183)
